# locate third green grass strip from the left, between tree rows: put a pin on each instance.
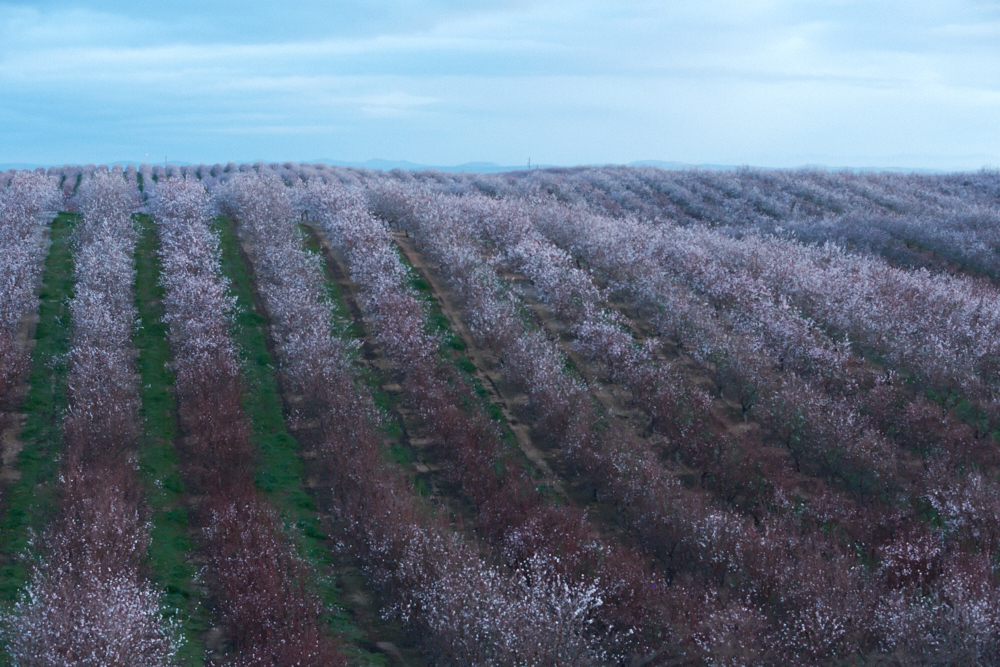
(280, 472)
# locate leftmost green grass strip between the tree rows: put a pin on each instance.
(30, 501)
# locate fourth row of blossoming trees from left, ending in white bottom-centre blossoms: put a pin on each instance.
(433, 578)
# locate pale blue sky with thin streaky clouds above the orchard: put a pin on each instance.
(771, 83)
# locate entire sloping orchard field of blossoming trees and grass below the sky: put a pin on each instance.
(301, 415)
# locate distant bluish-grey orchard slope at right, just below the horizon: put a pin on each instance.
(914, 220)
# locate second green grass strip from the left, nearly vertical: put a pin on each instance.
(159, 463)
